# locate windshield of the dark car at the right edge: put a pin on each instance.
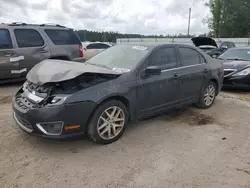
(236, 54)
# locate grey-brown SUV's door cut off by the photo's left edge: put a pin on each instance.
(8, 60)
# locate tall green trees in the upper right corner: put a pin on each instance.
(229, 18)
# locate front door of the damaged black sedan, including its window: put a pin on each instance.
(158, 92)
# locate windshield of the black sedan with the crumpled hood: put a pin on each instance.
(119, 57)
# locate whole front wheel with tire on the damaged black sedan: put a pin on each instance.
(108, 122)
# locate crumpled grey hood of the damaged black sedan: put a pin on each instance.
(59, 70)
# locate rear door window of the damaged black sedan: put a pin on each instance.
(189, 56)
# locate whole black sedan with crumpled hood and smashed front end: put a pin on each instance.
(122, 84)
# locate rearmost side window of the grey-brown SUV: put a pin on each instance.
(62, 37)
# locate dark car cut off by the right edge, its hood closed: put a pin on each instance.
(236, 67)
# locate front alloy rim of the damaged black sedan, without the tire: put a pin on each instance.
(111, 123)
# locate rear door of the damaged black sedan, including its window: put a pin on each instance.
(193, 73)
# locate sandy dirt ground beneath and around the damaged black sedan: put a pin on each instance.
(199, 148)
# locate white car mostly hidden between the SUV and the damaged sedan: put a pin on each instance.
(94, 48)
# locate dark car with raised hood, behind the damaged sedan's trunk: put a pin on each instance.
(210, 46)
